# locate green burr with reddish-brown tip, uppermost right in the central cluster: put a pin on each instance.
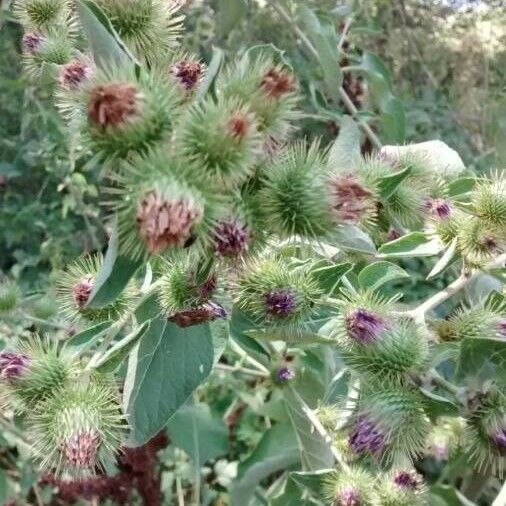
(268, 89)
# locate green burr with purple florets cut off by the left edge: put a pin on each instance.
(35, 371)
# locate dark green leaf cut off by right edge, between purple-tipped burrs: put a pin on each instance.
(482, 358)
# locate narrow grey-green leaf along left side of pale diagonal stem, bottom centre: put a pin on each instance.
(314, 452)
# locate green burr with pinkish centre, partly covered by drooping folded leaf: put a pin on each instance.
(74, 288)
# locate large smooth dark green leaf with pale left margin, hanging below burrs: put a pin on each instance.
(166, 366)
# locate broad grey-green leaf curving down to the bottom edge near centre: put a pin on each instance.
(277, 450)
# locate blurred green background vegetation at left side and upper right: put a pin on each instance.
(446, 60)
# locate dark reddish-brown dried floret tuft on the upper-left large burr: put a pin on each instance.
(112, 104)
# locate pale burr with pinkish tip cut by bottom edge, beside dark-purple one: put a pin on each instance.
(350, 488)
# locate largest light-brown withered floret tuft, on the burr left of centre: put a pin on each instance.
(163, 222)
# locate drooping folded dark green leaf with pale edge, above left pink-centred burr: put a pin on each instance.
(114, 275)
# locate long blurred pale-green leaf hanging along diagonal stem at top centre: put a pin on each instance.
(324, 38)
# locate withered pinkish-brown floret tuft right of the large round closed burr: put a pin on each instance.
(351, 200)
